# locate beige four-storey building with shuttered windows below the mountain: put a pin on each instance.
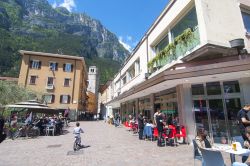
(61, 79)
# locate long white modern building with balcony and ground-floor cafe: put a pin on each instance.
(186, 66)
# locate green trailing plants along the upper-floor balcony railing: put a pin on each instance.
(169, 52)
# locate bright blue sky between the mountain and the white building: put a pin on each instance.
(128, 19)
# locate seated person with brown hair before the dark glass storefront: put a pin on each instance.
(201, 139)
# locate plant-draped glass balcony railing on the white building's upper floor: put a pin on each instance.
(183, 43)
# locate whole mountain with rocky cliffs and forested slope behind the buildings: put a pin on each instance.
(34, 25)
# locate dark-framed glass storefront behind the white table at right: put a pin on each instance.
(215, 106)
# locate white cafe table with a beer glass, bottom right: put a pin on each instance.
(228, 149)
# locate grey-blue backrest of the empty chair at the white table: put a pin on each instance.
(212, 157)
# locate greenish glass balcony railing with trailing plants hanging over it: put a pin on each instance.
(180, 50)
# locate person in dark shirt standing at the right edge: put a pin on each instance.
(243, 120)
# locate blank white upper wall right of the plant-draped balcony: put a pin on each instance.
(219, 21)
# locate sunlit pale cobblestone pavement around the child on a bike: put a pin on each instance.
(109, 146)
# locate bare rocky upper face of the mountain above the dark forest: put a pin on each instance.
(33, 17)
